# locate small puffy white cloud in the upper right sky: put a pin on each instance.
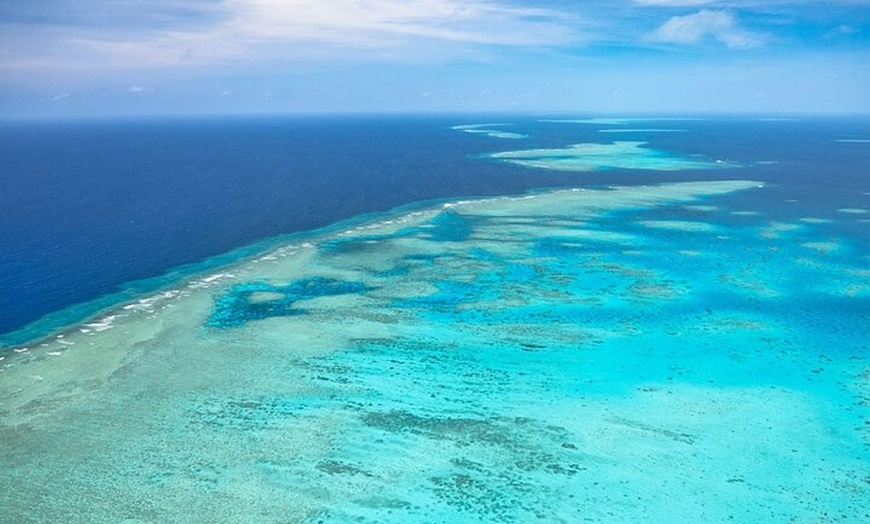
(718, 25)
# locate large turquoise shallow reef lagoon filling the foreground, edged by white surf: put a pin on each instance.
(655, 353)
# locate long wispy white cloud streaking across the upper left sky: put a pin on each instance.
(251, 31)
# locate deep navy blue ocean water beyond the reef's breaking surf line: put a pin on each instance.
(86, 208)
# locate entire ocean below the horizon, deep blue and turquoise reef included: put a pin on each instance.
(453, 318)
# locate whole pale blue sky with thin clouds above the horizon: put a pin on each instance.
(80, 58)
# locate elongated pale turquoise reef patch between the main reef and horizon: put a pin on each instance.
(602, 157)
